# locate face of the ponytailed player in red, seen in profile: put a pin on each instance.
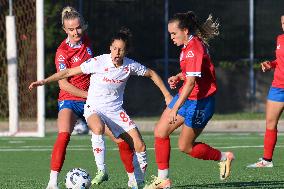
(178, 36)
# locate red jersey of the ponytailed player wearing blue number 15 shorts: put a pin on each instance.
(195, 61)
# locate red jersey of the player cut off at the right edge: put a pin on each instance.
(278, 80)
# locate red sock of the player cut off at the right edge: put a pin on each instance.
(270, 139)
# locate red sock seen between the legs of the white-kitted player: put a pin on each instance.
(126, 156)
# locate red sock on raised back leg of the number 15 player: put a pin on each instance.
(205, 152)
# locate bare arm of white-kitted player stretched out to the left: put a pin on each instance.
(57, 76)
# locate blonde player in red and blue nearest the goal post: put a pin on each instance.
(72, 52)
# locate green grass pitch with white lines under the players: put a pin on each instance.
(25, 163)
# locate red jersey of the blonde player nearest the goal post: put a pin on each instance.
(69, 56)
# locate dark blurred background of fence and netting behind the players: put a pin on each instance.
(242, 86)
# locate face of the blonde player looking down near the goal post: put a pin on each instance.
(73, 29)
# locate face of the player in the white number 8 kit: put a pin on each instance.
(117, 51)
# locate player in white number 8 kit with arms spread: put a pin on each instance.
(109, 74)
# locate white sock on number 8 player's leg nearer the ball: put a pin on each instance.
(98, 145)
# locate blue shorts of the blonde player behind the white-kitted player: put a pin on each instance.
(76, 106)
